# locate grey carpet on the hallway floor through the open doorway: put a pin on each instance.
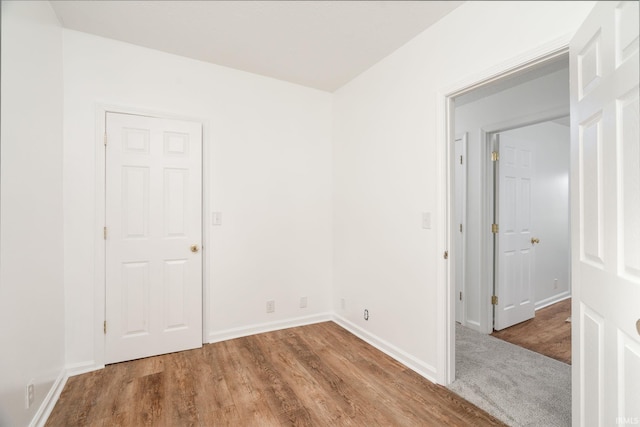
(516, 385)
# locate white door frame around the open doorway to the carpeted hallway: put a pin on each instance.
(446, 197)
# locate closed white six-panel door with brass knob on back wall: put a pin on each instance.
(153, 236)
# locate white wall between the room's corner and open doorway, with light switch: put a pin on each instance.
(386, 167)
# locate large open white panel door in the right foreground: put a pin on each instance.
(605, 188)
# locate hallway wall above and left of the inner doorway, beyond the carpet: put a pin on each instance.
(522, 102)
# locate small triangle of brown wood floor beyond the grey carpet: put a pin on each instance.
(548, 333)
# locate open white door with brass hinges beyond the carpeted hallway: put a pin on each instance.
(515, 249)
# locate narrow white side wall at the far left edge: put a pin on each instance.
(31, 242)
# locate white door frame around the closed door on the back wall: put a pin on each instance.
(100, 206)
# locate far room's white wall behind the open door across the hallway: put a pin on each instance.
(549, 207)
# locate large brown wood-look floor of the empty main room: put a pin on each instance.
(316, 375)
